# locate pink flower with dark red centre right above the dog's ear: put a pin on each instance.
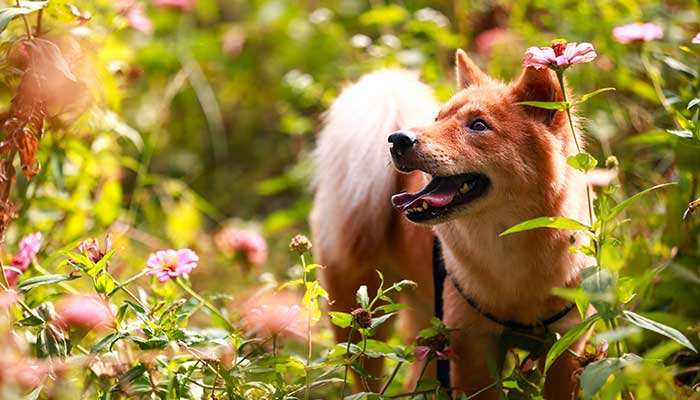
(560, 55)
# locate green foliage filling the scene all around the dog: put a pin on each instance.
(168, 138)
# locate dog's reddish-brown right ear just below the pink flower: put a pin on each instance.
(539, 85)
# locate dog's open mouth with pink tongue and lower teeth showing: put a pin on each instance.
(442, 195)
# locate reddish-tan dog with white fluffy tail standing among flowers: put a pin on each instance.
(464, 171)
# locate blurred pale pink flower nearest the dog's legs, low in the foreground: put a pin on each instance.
(274, 314)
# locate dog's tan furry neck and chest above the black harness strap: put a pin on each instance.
(526, 265)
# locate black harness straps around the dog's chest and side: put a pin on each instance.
(439, 275)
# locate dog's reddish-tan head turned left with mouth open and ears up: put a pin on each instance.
(484, 150)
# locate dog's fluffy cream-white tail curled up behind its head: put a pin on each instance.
(354, 177)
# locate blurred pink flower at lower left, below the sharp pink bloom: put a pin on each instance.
(87, 312)
